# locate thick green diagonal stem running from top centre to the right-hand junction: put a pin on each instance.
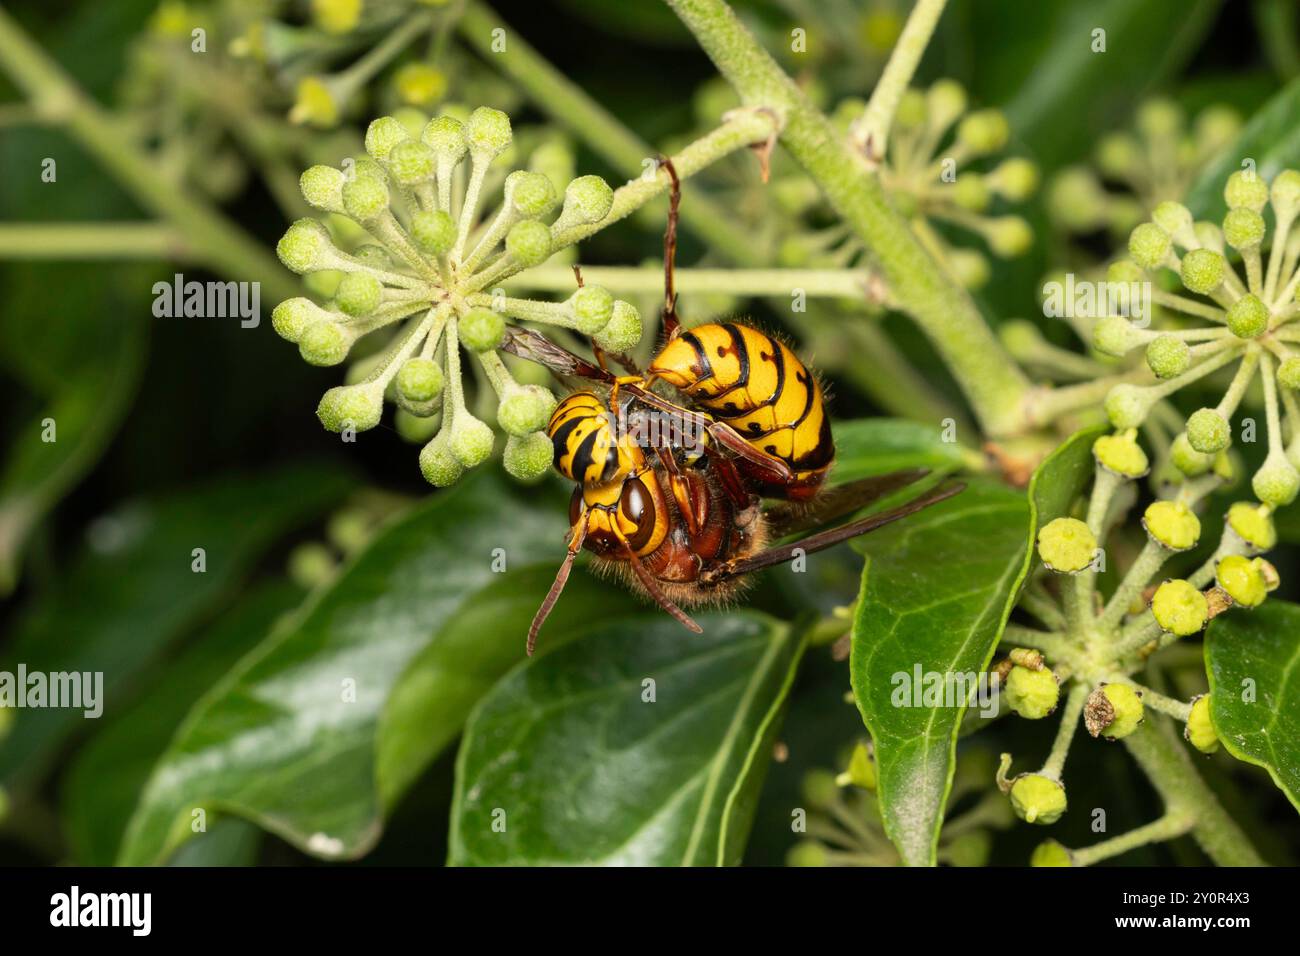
(990, 379)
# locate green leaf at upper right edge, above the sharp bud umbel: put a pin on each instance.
(1271, 139)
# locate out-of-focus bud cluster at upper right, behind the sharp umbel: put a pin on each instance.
(1133, 174)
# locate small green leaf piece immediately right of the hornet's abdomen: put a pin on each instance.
(876, 447)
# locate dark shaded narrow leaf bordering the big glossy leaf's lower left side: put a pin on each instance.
(106, 778)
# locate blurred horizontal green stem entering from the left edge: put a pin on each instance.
(93, 241)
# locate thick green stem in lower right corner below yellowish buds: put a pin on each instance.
(1167, 763)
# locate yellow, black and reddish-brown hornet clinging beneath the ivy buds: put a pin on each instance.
(669, 495)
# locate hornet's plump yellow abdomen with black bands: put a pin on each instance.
(757, 386)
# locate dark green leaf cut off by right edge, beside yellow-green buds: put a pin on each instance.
(1263, 728)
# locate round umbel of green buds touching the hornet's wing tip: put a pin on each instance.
(422, 276)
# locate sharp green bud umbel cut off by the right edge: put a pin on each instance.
(1240, 326)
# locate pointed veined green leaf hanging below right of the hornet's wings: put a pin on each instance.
(937, 592)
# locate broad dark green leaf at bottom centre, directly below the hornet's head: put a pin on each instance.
(587, 772)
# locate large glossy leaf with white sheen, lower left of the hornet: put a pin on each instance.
(289, 739)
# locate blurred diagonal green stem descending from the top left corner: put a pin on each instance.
(211, 236)
